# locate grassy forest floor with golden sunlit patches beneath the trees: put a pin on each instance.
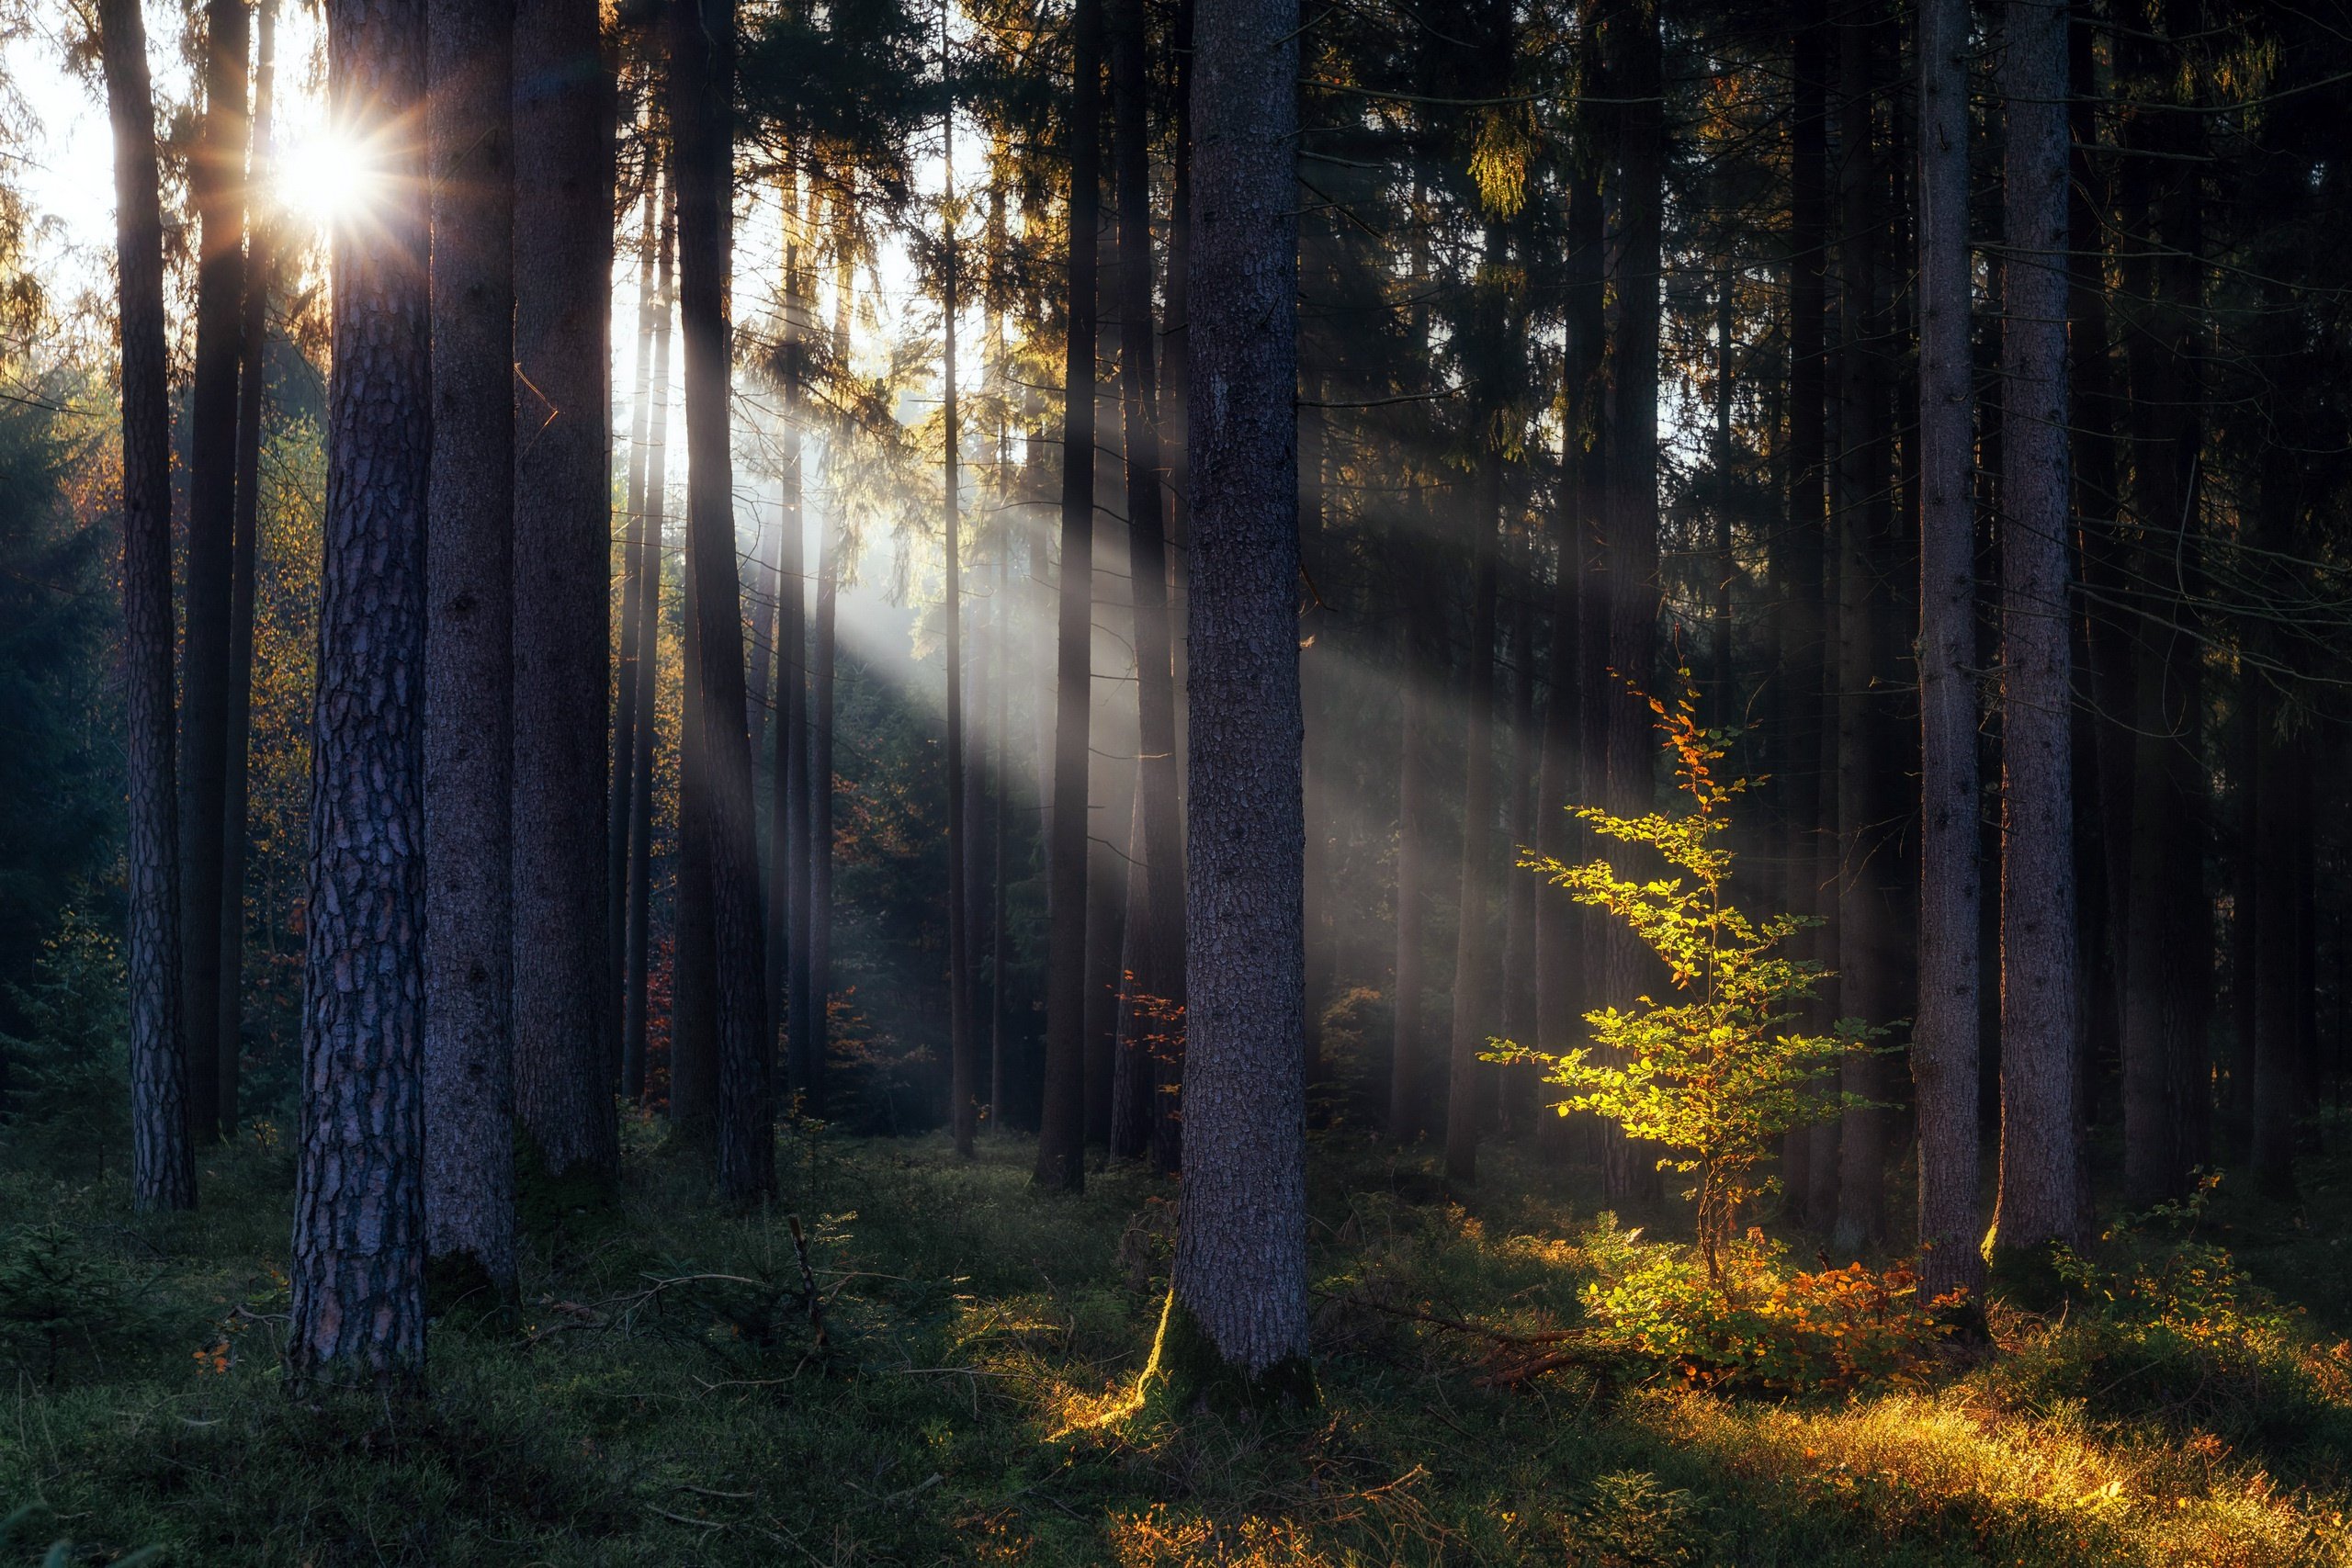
(667, 1400)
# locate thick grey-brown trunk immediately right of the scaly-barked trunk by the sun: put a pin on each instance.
(469, 1068)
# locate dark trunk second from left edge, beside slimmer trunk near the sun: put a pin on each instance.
(218, 194)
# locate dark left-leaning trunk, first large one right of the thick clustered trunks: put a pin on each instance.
(702, 88)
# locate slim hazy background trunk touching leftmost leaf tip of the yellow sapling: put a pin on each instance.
(1474, 942)
